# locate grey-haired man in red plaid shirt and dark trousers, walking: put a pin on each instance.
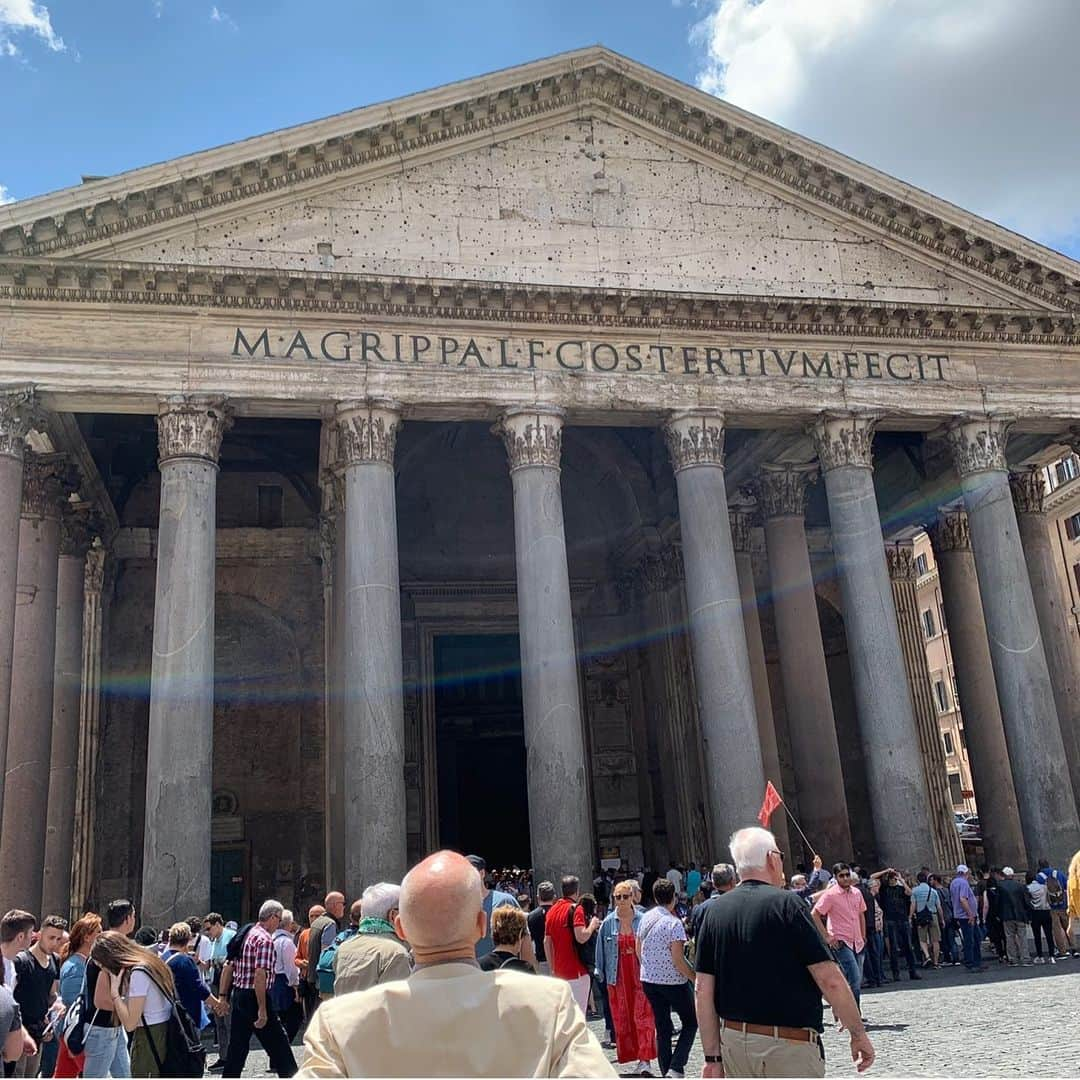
(246, 983)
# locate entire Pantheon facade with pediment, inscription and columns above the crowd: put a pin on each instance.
(528, 466)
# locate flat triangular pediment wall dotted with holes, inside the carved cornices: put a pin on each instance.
(585, 202)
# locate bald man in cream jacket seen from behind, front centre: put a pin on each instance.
(450, 1018)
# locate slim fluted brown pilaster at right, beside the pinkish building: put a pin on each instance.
(903, 575)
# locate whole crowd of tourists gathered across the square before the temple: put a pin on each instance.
(738, 957)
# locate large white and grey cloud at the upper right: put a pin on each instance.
(974, 101)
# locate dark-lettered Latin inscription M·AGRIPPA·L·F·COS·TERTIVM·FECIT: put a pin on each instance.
(583, 356)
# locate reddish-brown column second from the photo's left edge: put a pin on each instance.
(26, 791)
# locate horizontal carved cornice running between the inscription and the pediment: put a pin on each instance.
(194, 288)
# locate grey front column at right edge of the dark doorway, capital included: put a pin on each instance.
(560, 808)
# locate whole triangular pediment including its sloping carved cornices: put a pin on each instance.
(583, 170)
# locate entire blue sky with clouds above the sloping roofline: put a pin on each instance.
(971, 100)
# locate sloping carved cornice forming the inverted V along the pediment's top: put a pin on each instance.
(105, 211)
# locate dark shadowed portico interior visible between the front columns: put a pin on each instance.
(456, 539)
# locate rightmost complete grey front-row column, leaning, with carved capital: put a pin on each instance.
(1048, 812)
